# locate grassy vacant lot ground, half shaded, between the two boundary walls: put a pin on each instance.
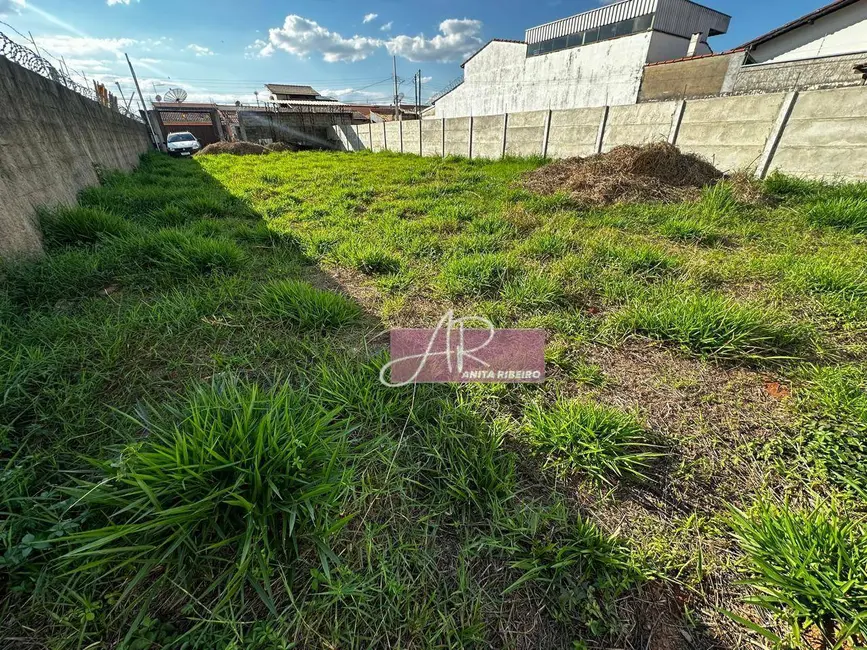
(196, 451)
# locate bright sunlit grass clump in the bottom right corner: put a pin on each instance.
(807, 568)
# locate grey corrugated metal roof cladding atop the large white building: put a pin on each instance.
(680, 17)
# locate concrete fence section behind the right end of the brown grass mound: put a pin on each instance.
(731, 132)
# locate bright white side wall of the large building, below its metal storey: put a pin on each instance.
(502, 79)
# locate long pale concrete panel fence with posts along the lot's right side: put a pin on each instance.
(813, 134)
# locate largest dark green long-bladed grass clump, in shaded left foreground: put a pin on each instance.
(221, 490)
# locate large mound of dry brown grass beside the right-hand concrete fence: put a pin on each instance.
(656, 172)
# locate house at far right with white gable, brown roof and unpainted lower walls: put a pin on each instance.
(826, 48)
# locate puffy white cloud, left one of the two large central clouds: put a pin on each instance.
(302, 37)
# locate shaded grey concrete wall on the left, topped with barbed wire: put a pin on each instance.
(50, 140)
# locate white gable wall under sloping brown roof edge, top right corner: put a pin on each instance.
(842, 32)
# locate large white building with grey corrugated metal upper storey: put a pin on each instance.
(595, 58)
